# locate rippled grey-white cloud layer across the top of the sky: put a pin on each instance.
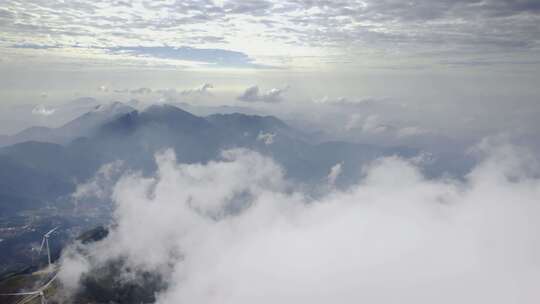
(214, 32)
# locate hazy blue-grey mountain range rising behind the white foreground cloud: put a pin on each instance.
(34, 172)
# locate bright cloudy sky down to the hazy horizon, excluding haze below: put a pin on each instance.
(62, 47)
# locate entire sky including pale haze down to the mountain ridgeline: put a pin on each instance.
(463, 67)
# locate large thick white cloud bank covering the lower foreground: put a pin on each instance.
(253, 238)
